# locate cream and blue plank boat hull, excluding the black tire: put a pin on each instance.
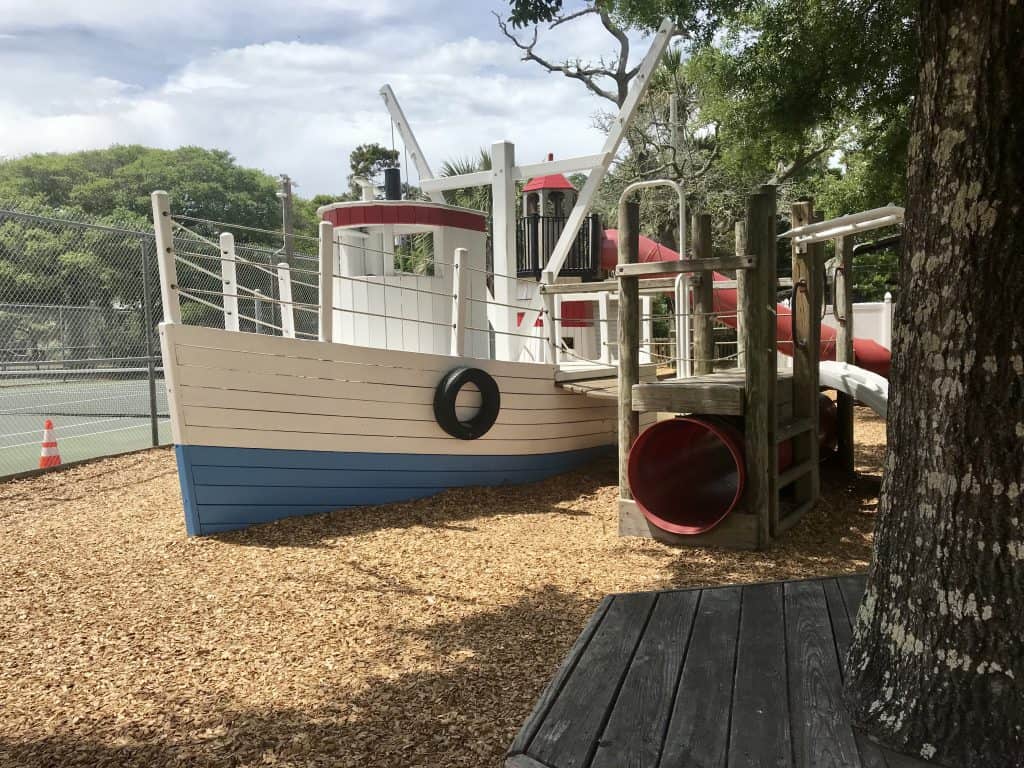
(270, 428)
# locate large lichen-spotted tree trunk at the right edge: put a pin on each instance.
(937, 664)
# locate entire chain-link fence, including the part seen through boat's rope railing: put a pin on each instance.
(79, 313)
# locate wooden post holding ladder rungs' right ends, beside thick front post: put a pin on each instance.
(806, 352)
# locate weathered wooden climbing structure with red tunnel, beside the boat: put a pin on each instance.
(755, 429)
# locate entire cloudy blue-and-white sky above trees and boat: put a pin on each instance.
(288, 87)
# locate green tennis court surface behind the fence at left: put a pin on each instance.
(93, 417)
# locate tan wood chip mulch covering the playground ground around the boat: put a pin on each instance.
(412, 635)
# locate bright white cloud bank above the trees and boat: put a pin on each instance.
(288, 106)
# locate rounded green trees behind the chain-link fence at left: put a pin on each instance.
(71, 267)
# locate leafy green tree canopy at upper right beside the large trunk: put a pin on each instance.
(809, 95)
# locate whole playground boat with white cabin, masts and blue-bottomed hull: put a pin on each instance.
(456, 372)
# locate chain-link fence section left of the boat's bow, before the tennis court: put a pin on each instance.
(79, 308)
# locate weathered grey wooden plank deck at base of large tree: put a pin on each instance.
(727, 677)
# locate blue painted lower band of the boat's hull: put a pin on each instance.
(226, 489)
